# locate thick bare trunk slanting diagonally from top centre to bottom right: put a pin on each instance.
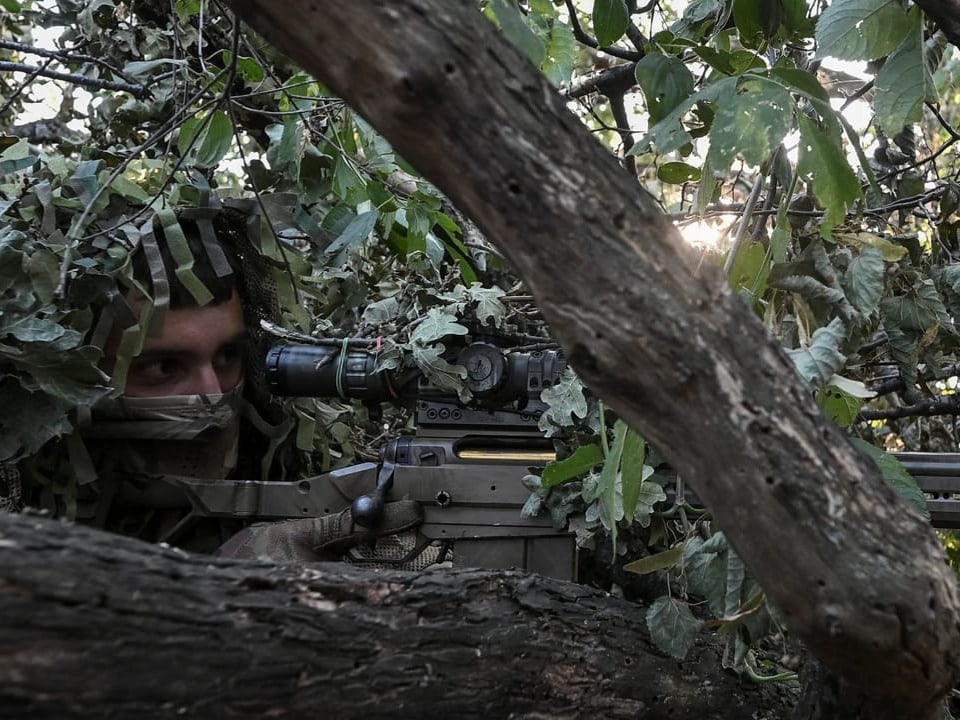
(656, 334)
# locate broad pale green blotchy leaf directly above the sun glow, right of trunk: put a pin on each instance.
(752, 122)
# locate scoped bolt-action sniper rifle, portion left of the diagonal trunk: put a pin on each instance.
(464, 464)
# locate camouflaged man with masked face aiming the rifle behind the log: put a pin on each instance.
(194, 406)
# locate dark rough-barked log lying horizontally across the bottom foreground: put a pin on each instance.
(93, 625)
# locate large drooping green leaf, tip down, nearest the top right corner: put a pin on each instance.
(904, 82)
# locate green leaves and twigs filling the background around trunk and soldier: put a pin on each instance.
(841, 233)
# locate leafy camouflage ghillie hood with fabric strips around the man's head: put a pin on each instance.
(239, 244)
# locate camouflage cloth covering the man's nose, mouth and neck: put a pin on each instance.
(149, 442)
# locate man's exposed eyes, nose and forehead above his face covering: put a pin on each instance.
(199, 352)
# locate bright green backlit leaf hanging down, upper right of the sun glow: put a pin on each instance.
(835, 185)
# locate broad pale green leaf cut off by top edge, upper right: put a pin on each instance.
(861, 29)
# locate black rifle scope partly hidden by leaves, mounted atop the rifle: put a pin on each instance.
(324, 371)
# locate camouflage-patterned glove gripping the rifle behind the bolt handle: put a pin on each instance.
(329, 537)
